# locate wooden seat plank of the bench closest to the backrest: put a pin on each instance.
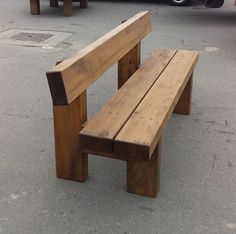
(99, 133)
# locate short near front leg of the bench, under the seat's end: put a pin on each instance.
(143, 177)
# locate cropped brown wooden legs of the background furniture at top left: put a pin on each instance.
(67, 6)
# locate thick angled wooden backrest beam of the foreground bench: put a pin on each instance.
(71, 77)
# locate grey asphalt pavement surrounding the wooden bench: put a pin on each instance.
(198, 176)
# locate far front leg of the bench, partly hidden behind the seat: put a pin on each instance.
(184, 104)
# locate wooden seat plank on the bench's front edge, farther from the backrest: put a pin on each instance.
(142, 131)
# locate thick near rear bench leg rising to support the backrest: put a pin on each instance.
(71, 164)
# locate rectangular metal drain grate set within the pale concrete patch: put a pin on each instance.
(36, 37)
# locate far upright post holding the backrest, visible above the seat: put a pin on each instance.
(128, 64)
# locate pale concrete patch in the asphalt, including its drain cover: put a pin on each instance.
(33, 38)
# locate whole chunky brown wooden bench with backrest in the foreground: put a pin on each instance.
(130, 125)
